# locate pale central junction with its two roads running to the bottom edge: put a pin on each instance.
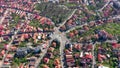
(56, 35)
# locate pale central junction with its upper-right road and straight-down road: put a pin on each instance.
(61, 36)
